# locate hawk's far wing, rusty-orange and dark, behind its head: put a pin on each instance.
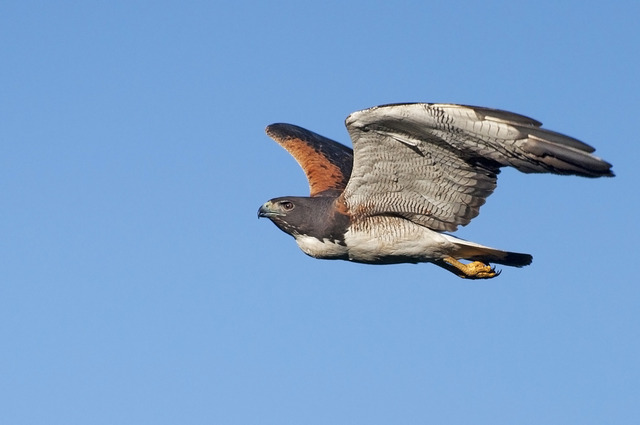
(326, 163)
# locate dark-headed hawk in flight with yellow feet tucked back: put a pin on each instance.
(416, 172)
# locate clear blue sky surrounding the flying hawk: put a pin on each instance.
(137, 285)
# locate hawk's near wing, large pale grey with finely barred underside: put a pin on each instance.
(435, 164)
